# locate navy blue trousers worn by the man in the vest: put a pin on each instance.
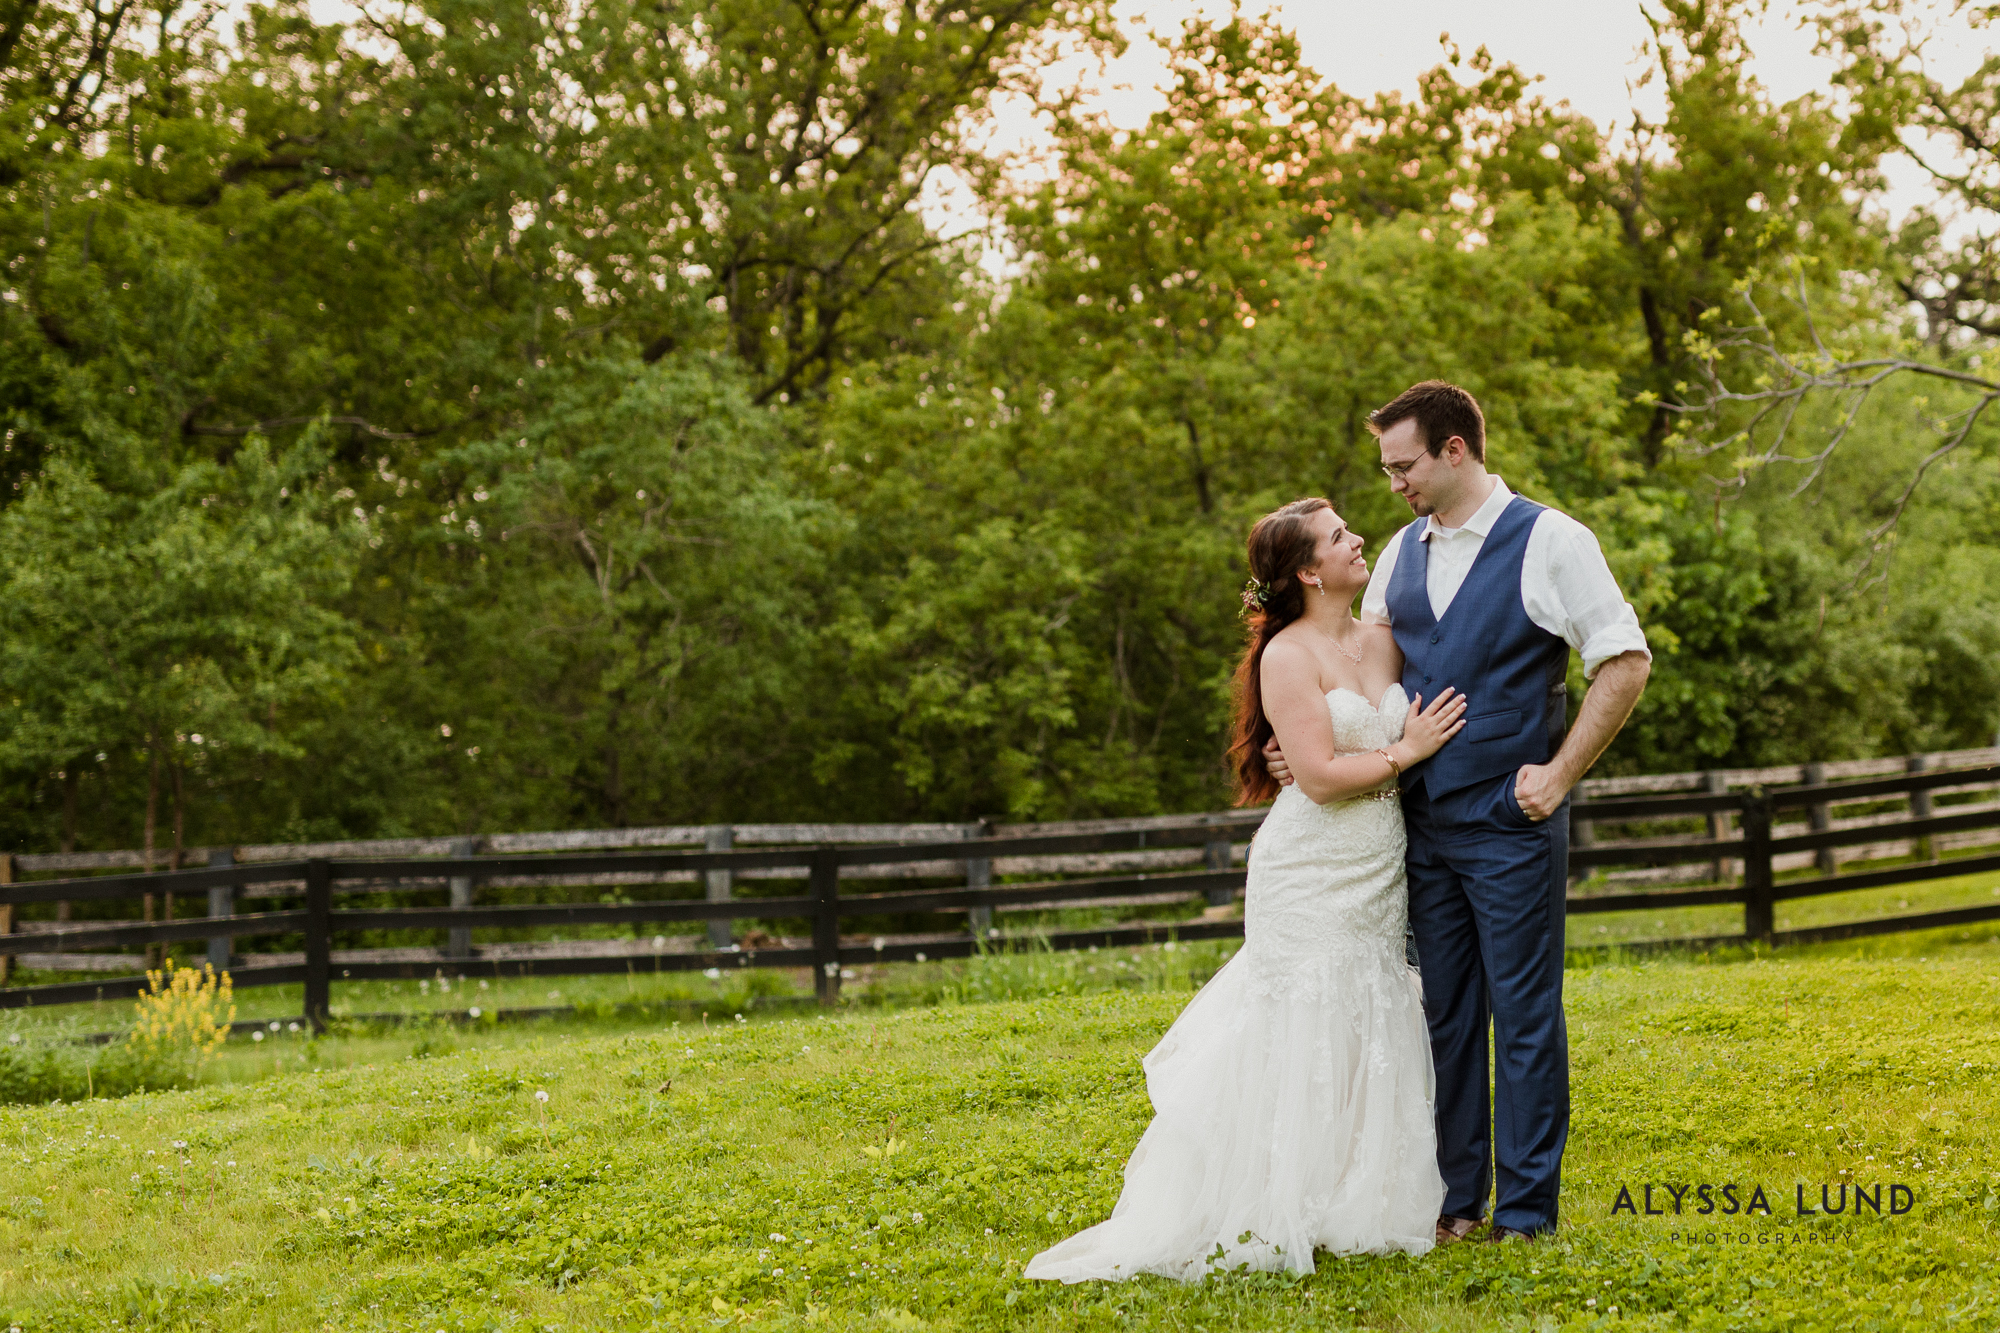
(1487, 892)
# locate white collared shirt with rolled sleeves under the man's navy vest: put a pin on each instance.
(1565, 583)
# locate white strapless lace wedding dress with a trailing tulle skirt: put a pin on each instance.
(1293, 1096)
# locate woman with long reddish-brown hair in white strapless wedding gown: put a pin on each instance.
(1293, 1098)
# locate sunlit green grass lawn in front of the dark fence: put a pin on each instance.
(895, 1168)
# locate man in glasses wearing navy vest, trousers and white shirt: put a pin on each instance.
(1489, 593)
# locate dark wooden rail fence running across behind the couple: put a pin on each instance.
(319, 900)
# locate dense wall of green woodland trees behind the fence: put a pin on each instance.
(509, 415)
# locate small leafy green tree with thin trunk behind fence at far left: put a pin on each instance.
(177, 621)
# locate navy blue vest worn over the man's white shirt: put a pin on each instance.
(1511, 670)
